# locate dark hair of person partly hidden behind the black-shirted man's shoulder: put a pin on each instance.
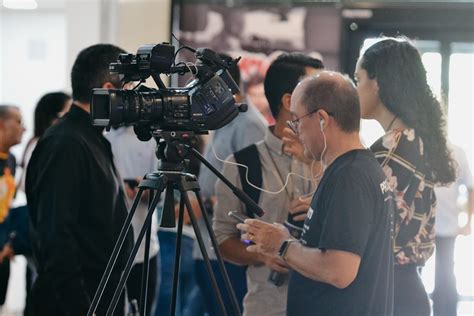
(48, 109)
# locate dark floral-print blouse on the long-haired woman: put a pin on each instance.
(401, 155)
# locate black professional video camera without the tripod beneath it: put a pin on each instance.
(205, 103)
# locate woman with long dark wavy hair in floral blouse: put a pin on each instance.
(393, 89)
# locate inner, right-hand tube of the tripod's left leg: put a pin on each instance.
(132, 256)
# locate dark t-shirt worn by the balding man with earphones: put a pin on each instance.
(351, 211)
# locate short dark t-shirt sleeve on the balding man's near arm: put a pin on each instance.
(349, 208)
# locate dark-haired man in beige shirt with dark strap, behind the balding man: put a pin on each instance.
(269, 163)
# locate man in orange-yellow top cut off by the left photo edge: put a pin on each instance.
(11, 131)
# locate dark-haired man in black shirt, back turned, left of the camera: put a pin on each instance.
(76, 201)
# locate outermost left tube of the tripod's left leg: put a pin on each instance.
(115, 253)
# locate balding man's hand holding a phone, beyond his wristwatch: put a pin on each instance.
(267, 238)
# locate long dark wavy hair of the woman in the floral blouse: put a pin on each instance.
(396, 65)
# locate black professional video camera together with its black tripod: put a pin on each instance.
(173, 116)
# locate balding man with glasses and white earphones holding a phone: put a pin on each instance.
(343, 263)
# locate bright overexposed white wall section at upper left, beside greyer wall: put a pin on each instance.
(33, 60)
